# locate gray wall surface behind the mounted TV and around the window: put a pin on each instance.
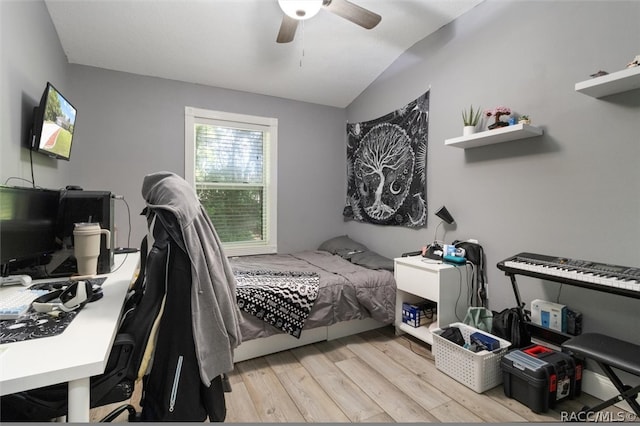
(130, 125)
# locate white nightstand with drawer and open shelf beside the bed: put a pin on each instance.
(419, 279)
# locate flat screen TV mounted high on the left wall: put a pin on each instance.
(54, 123)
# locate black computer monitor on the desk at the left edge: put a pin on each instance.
(28, 218)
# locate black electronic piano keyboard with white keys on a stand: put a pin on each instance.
(622, 280)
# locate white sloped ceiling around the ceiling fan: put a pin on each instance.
(231, 43)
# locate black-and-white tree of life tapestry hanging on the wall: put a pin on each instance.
(387, 167)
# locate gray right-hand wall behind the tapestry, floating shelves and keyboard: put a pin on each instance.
(575, 191)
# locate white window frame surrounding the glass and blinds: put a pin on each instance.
(269, 126)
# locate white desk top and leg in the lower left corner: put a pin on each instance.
(79, 352)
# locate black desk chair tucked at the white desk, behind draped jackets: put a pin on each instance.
(116, 384)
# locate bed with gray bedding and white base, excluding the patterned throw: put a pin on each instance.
(356, 292)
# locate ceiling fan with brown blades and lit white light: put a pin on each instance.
(298, 10)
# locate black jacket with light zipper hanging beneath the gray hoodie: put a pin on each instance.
(173, 388)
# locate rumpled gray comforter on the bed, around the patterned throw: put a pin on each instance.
(347, 291)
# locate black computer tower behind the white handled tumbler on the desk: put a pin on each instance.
(87, 206)
